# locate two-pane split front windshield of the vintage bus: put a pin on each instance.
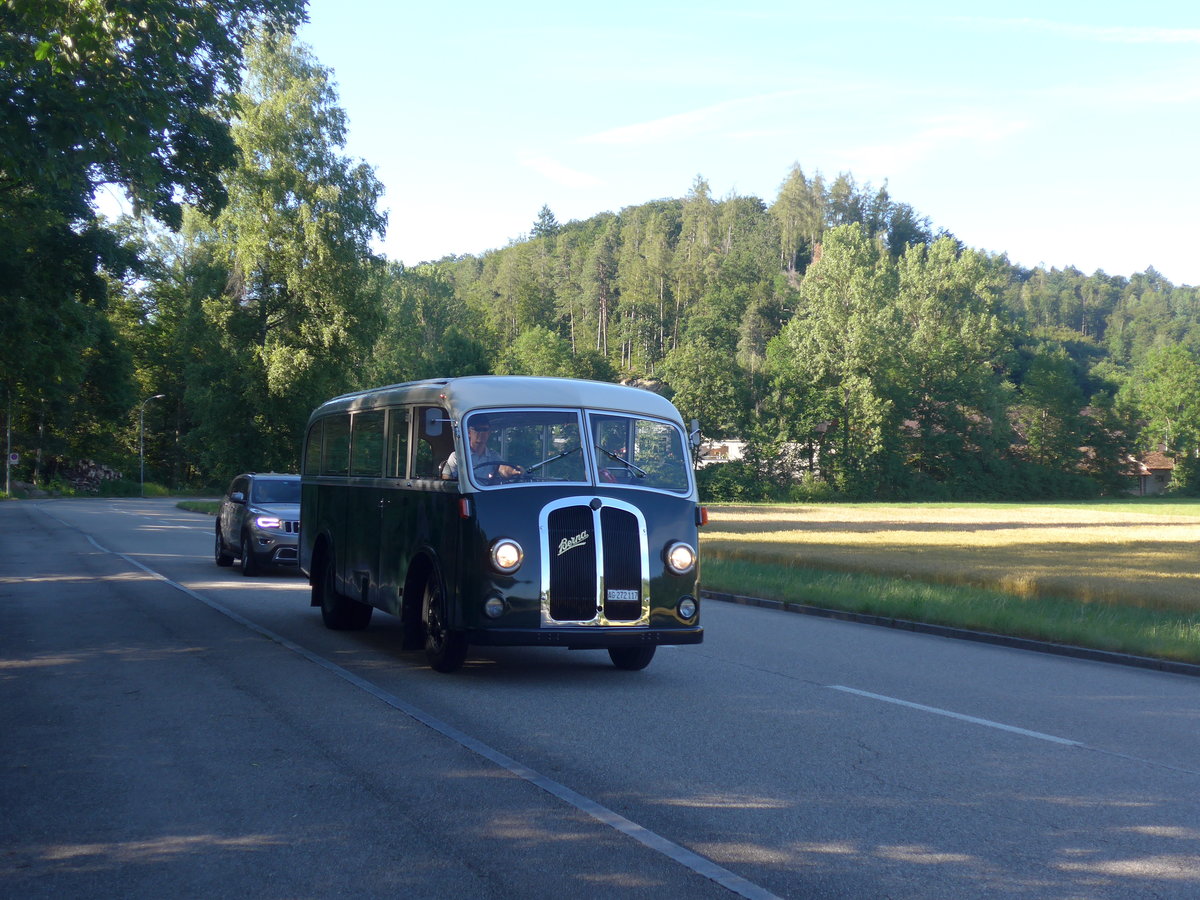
(543, 446)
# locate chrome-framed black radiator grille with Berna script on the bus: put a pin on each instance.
(596, 571)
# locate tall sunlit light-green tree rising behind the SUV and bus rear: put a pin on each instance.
(299, 307)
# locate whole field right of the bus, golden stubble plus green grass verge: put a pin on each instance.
(1118, 575)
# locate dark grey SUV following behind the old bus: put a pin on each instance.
(260, 523)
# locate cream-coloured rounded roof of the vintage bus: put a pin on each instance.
(463, 395)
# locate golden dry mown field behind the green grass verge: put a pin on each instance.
(1123, 554)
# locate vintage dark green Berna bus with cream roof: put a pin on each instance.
(572, 520)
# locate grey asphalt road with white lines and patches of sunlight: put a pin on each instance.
(169, 728)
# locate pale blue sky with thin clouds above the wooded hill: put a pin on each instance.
(1058, 134)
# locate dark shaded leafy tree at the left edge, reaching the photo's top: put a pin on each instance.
(117, 92)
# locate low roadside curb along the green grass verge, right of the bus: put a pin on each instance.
(962, 634)
